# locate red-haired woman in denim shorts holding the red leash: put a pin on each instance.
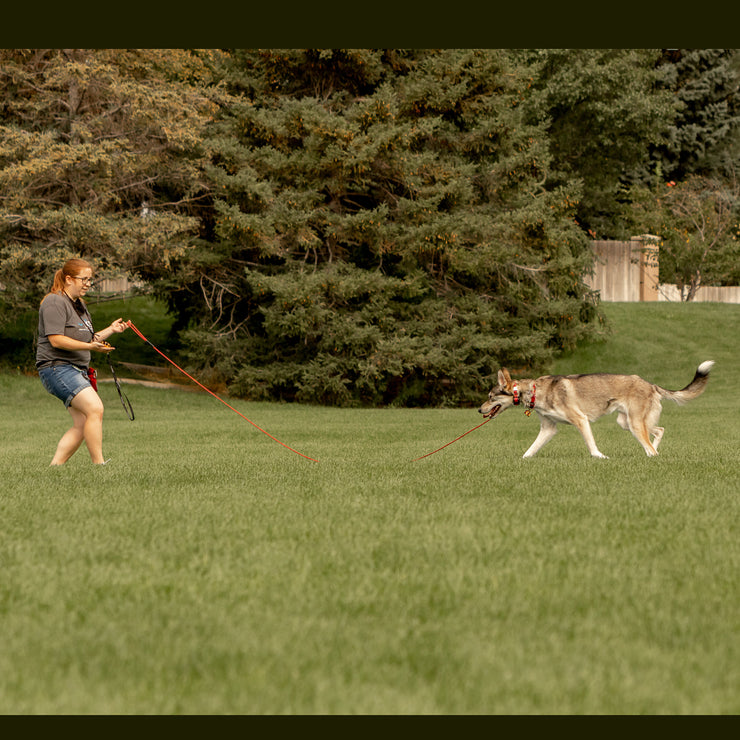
(66, 338)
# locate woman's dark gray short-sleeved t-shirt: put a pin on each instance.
(59, 315)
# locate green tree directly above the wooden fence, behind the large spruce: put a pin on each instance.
(603, 114)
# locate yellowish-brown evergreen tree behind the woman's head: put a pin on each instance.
(99, 159)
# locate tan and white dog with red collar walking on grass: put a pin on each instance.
(581, 399)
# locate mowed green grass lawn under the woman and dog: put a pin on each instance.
(207, 569)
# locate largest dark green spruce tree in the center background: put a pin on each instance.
(382, 230)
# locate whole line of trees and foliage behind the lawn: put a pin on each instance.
(364, 226)
